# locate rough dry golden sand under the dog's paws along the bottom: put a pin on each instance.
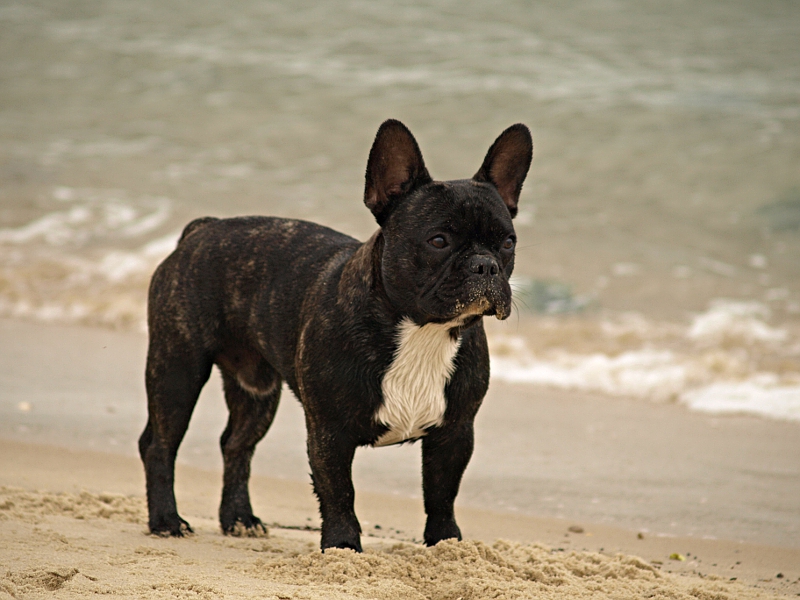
(72, 524)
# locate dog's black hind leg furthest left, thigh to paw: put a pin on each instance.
(174, 378)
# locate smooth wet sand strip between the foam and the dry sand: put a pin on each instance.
(626, 463)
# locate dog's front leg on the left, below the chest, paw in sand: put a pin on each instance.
(331, 456)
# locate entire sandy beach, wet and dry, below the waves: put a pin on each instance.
(73, 515)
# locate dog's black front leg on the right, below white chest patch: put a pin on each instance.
(445, 454)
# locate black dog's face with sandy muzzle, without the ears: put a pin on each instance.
(449, 251)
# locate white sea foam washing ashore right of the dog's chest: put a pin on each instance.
(707, 372)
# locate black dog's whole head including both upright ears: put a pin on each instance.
(448, 246)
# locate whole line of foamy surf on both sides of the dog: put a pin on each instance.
(89, 260)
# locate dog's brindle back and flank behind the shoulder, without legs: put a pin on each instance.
(227, 275)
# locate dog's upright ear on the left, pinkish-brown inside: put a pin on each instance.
(395, 168)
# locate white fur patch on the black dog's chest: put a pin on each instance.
(413, 387)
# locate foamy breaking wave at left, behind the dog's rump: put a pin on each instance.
(88, 261)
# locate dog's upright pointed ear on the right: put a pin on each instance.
(507, 163)
